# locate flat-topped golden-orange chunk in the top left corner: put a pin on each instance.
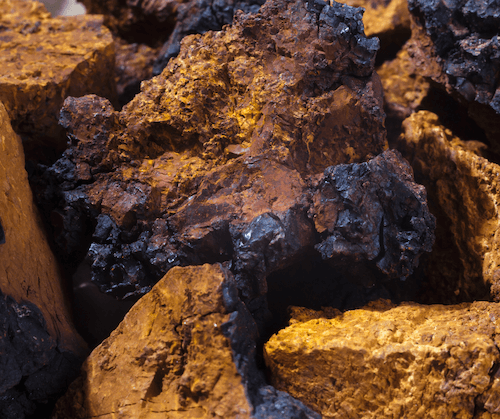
(44, 59)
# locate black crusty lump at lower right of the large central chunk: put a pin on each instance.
(374, 212)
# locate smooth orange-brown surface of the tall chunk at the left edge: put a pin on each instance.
(29, 271)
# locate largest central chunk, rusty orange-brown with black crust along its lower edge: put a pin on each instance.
(213, 158)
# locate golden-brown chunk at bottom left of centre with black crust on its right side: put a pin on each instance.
(185, 350)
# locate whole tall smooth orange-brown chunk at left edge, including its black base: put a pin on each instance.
(39, 347)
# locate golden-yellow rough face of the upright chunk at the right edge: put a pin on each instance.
(467, 188)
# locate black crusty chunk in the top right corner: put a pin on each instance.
(466, 37)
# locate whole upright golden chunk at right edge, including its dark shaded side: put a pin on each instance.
(463, 193)
